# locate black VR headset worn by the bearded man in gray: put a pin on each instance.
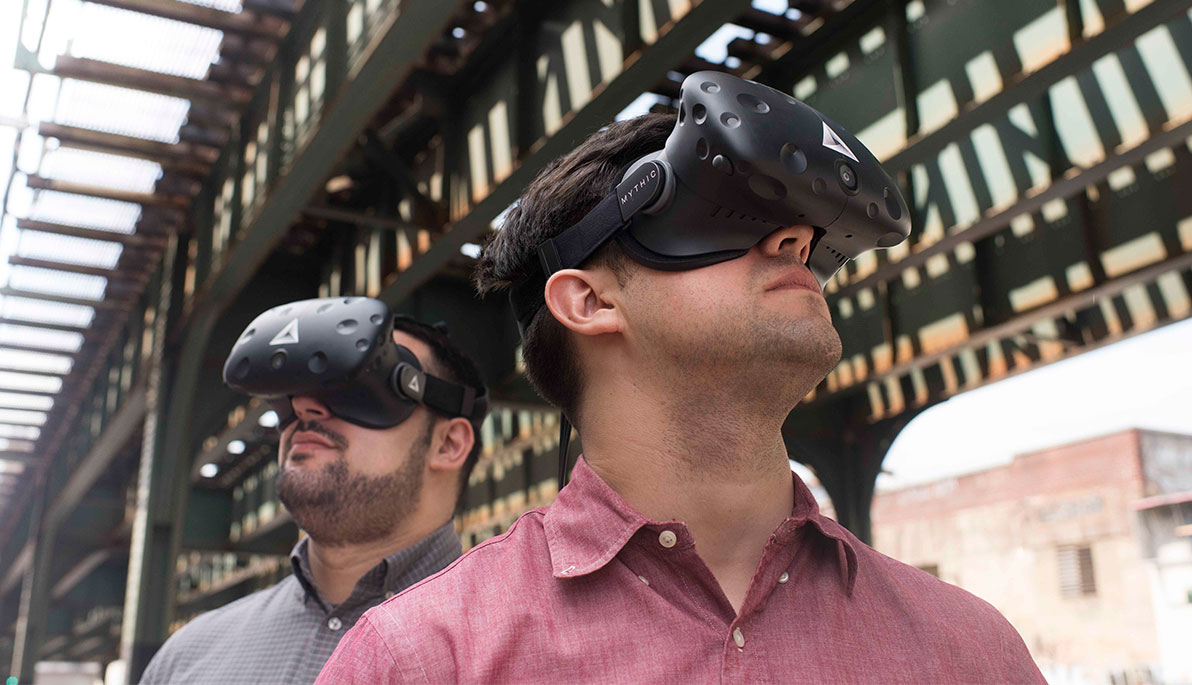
(342, 352)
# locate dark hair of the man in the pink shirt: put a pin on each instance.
(561, 196)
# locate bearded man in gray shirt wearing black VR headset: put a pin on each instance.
(370, 474)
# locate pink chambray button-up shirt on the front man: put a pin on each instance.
(591, 591)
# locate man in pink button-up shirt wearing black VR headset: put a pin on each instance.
(679, 335)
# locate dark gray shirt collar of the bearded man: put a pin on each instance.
(393, 574)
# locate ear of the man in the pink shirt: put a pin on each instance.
(585, 301)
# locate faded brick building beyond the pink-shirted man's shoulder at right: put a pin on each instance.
(1084, 547)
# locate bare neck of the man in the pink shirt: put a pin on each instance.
(711, 457)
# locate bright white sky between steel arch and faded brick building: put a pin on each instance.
(1145, 382)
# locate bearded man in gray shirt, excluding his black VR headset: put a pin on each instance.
(376, 506)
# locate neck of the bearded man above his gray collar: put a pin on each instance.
(338, 569)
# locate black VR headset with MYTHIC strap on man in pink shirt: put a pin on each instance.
(743, 161)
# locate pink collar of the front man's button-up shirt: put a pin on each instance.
(589, 525)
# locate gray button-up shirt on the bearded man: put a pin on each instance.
(285, 633)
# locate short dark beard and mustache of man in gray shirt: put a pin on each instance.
(337, 507)
